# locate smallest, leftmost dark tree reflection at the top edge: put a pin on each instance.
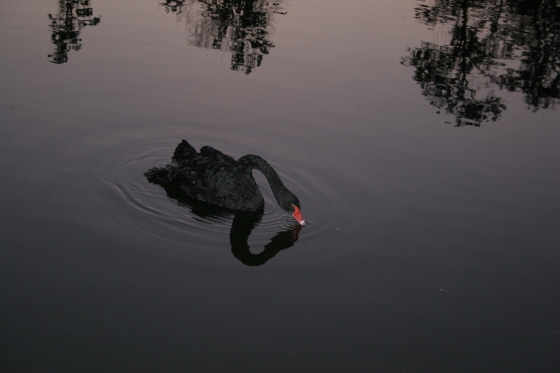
(66, 25)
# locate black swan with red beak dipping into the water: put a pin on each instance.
(214, 177)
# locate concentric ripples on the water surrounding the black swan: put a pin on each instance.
(175, 220)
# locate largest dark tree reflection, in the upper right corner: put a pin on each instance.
(493, 45)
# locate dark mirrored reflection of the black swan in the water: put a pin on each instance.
(241, 228)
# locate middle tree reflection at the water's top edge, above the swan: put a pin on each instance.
(236, 26)
